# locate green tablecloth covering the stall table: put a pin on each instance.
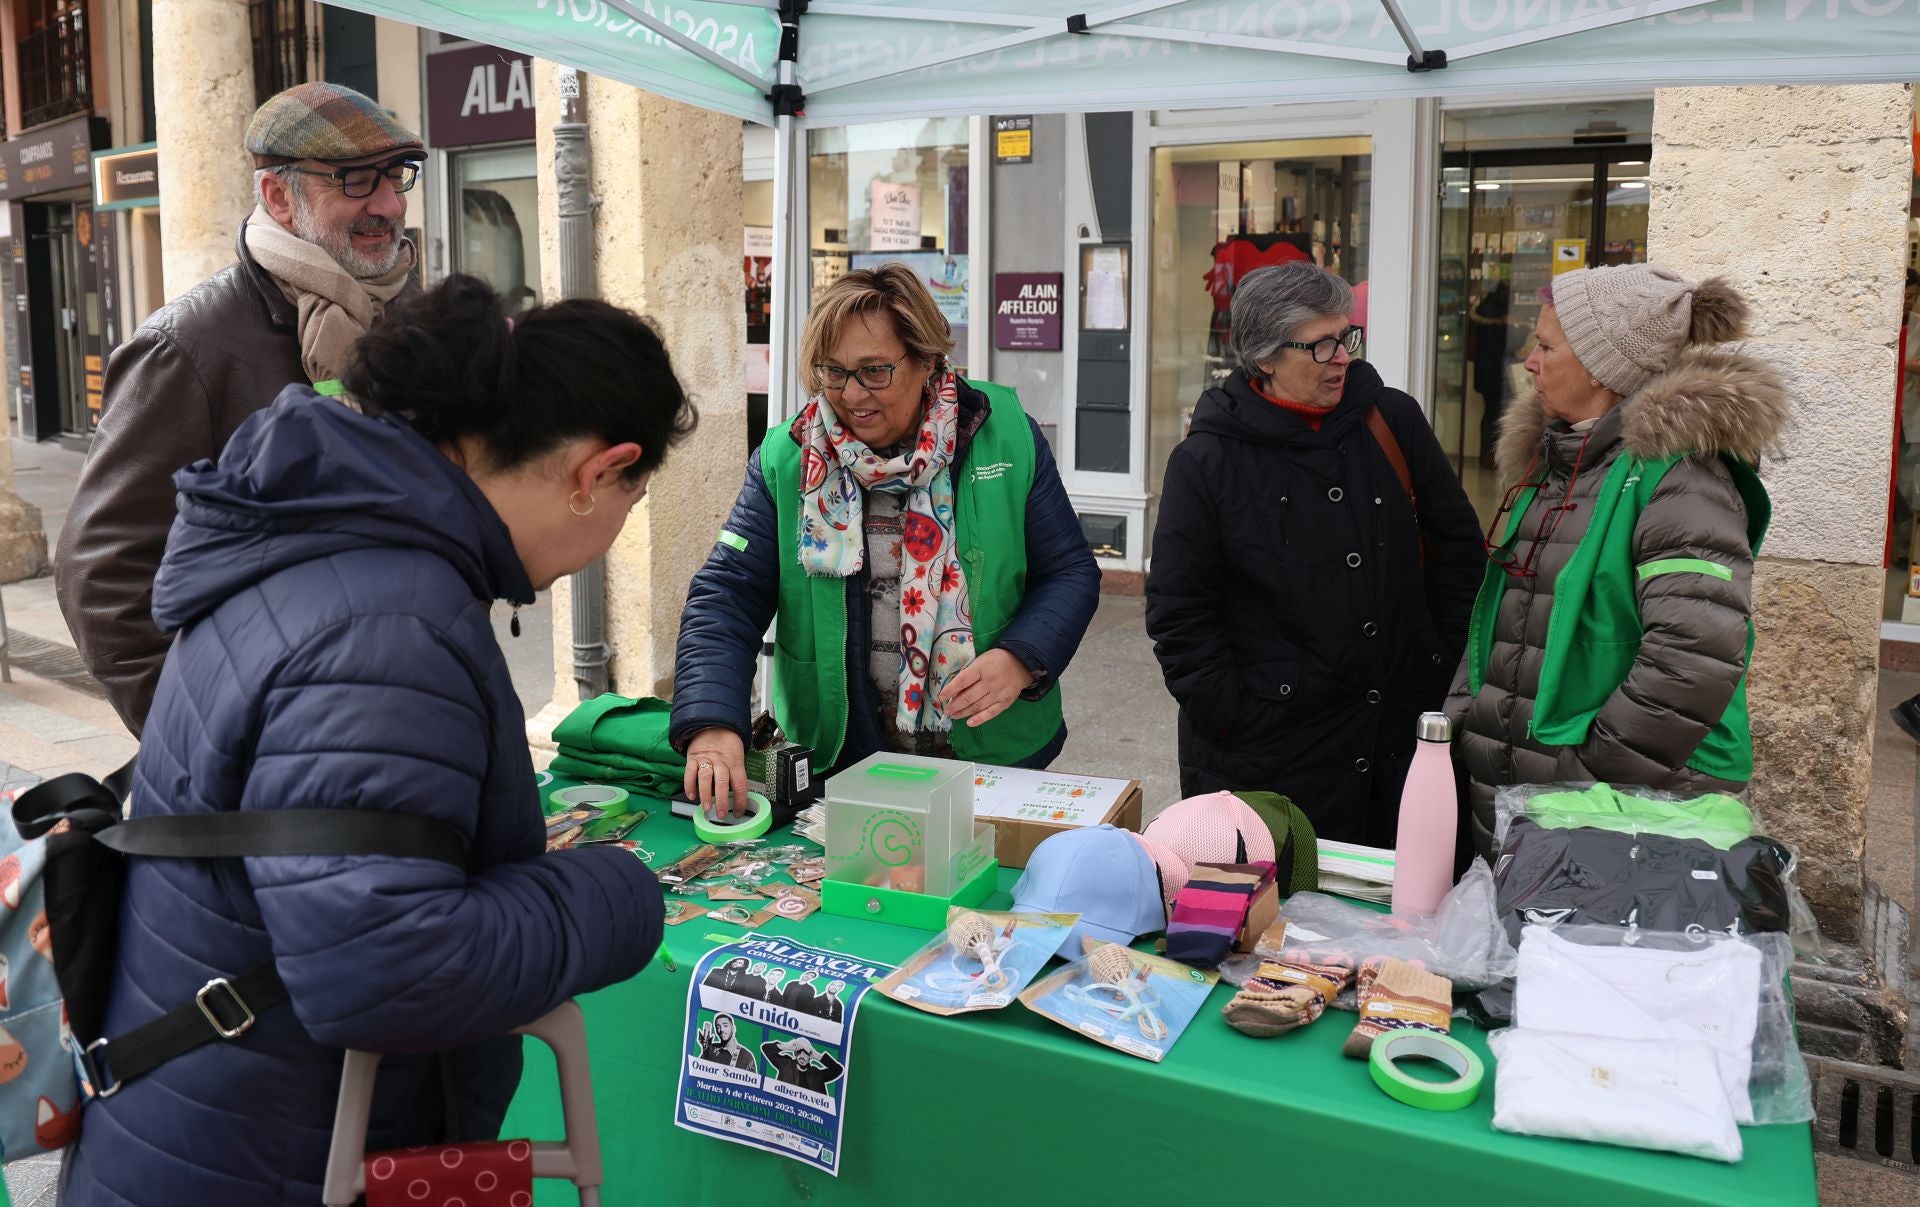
(1007, 1106)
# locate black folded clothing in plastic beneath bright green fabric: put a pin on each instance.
(1652, 882)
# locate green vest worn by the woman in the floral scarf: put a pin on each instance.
(990, 532)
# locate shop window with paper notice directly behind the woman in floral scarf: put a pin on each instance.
(894, 191)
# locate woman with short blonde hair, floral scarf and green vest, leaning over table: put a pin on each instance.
(913, 546)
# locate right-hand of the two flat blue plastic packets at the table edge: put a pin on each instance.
(1128, 1001)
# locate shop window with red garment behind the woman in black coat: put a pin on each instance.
(1222, 212)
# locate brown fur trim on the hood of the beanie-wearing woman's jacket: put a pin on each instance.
(1712, 400)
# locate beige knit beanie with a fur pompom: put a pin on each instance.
(1629, 323)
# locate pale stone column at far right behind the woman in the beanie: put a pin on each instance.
(1800, 197)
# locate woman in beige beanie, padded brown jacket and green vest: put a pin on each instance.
(1614, 628)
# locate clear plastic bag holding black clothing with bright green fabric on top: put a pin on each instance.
(1639, 857)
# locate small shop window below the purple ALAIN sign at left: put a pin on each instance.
(496, 220)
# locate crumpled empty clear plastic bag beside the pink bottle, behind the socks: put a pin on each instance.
(1464, 941)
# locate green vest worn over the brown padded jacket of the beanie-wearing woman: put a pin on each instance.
(1595, 627)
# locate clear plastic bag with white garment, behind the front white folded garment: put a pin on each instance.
(1729, 993)
